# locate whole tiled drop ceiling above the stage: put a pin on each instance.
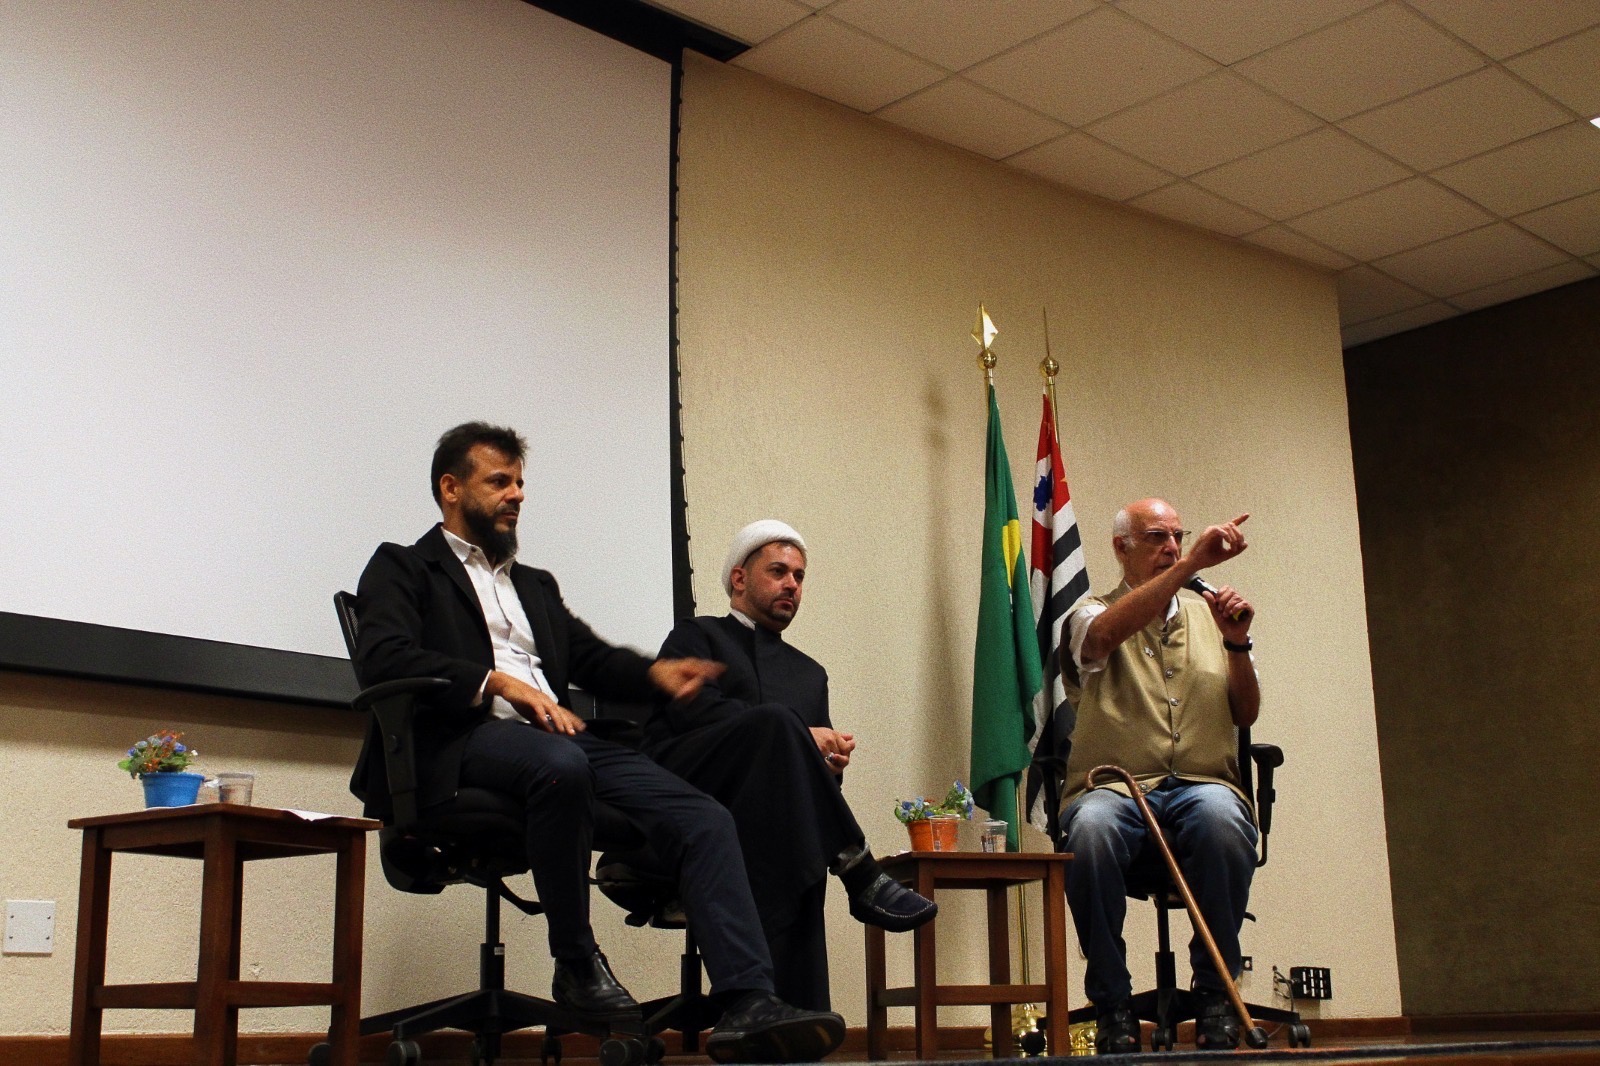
(1438, 156)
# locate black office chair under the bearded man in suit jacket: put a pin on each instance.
(473, 840)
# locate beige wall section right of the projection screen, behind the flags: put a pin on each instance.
(831, 268)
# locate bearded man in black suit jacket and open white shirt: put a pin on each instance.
(458, 606)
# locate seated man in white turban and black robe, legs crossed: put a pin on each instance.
(759, 740)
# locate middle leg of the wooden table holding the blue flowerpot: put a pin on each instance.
(222, 900)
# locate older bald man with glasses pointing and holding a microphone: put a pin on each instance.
(1161, 678)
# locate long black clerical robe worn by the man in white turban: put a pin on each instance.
(746, 740)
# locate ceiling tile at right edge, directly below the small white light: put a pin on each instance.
(1546, 169)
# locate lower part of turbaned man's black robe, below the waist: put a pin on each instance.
(764, 766)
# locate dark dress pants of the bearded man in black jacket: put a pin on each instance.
(559, 782)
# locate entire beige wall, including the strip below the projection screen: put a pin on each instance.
(830, 275)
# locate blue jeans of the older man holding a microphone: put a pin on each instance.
(1214, 840)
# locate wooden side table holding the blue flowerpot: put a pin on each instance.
(223, 838)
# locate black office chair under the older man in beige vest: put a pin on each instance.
(1166, 1006)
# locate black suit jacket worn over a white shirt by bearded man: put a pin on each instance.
(420, 617)
